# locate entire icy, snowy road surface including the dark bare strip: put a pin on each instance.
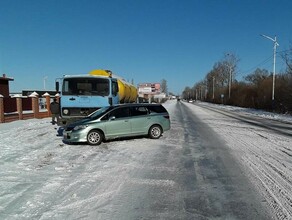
(208, 166)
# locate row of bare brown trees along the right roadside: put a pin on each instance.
(254, 91)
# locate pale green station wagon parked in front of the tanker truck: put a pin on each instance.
(125, 120)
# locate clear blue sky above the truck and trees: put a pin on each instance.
(143, 40)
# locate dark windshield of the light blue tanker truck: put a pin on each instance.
(86, 86)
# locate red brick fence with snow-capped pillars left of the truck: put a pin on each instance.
(23, 107)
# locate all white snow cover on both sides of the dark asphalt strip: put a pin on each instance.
(43, 178)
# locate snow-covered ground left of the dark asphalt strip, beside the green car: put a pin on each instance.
(42, 178)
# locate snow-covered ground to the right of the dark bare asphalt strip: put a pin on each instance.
(265, 155)
